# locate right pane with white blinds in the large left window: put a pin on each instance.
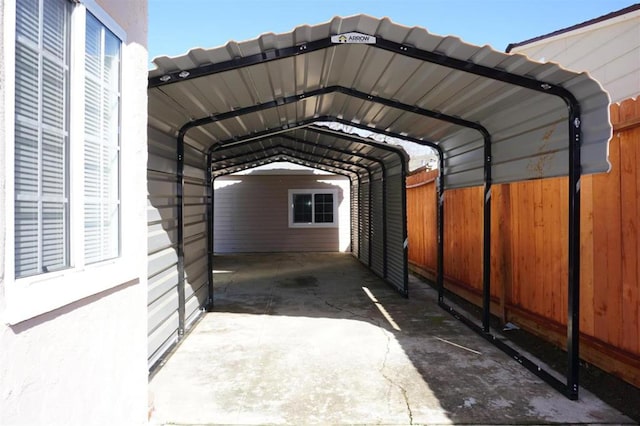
(102, 143)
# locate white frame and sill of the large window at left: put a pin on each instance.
(33, 295)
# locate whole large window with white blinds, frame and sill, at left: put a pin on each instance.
(66, 171)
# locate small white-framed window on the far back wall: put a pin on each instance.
(313, 208)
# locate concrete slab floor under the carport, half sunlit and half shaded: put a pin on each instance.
(318, 339)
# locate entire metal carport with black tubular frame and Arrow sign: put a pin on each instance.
(492, 117)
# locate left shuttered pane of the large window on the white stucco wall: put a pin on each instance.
(41, 136)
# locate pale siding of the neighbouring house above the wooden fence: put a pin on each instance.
(608, 50)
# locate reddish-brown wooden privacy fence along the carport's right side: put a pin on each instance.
(529, 250)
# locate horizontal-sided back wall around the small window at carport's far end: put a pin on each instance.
(251, 214)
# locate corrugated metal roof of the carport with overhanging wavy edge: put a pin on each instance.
(389, 78)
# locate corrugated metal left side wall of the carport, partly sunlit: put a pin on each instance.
(163, 301)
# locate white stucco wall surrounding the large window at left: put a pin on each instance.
(84, 362)
